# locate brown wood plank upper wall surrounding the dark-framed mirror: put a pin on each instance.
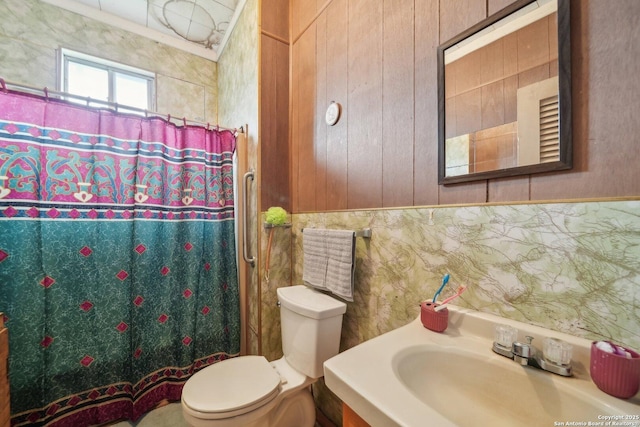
(378, 60)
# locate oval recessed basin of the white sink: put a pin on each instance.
(492, 393)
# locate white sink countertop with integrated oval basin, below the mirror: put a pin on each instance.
(415, 377)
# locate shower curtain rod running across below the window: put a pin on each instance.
(110, 105)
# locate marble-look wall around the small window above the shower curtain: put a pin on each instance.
(32, 31)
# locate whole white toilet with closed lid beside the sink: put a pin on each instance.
(249, 391)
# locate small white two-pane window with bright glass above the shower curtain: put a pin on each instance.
(104, 80)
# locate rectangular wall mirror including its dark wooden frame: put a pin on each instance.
(504, 95)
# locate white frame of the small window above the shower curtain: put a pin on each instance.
(112, 67)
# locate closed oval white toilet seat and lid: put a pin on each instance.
(232, 387)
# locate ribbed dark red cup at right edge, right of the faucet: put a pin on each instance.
(614, 374)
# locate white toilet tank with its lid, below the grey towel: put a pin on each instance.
(311, 325)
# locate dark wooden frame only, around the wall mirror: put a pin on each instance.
(564, 98)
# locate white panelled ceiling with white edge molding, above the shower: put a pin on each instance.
(201, 27)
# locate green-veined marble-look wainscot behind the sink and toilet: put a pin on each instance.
(571, 267)
